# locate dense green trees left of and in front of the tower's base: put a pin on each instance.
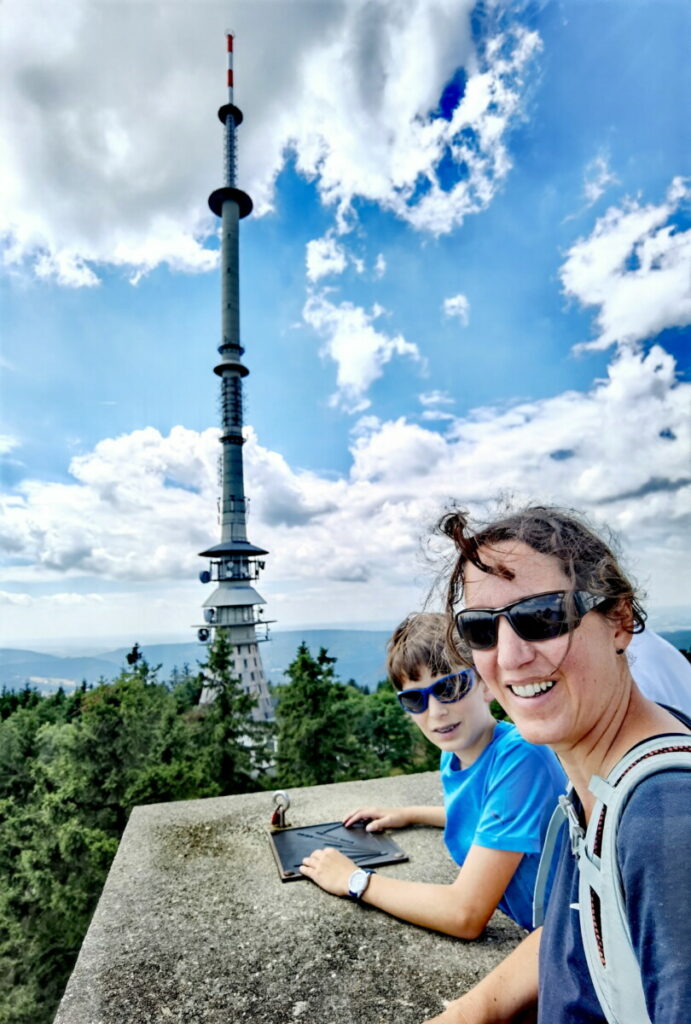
(71, 771)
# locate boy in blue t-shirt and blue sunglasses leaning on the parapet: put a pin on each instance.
(499, 795)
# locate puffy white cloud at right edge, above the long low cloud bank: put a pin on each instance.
(636, 269)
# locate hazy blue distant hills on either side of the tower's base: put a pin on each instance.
(360, 654)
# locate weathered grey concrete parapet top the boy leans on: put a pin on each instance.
(195, 925)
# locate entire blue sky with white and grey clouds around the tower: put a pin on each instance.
(466, 280)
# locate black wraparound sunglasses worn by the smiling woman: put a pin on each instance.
(539, 618)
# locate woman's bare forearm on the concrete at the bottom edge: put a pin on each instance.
(507, 994)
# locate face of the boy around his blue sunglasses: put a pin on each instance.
(460, 728)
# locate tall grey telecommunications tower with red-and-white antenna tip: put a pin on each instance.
(235, 565)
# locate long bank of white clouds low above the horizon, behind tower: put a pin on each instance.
(143, 505)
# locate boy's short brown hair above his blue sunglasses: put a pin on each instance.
(420, 643)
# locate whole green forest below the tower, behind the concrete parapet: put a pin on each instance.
(73, 766)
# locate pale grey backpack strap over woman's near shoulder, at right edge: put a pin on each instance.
(612, 961)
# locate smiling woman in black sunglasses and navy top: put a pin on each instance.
(549, 615)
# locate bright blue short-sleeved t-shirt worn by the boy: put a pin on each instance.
(503, 801)
